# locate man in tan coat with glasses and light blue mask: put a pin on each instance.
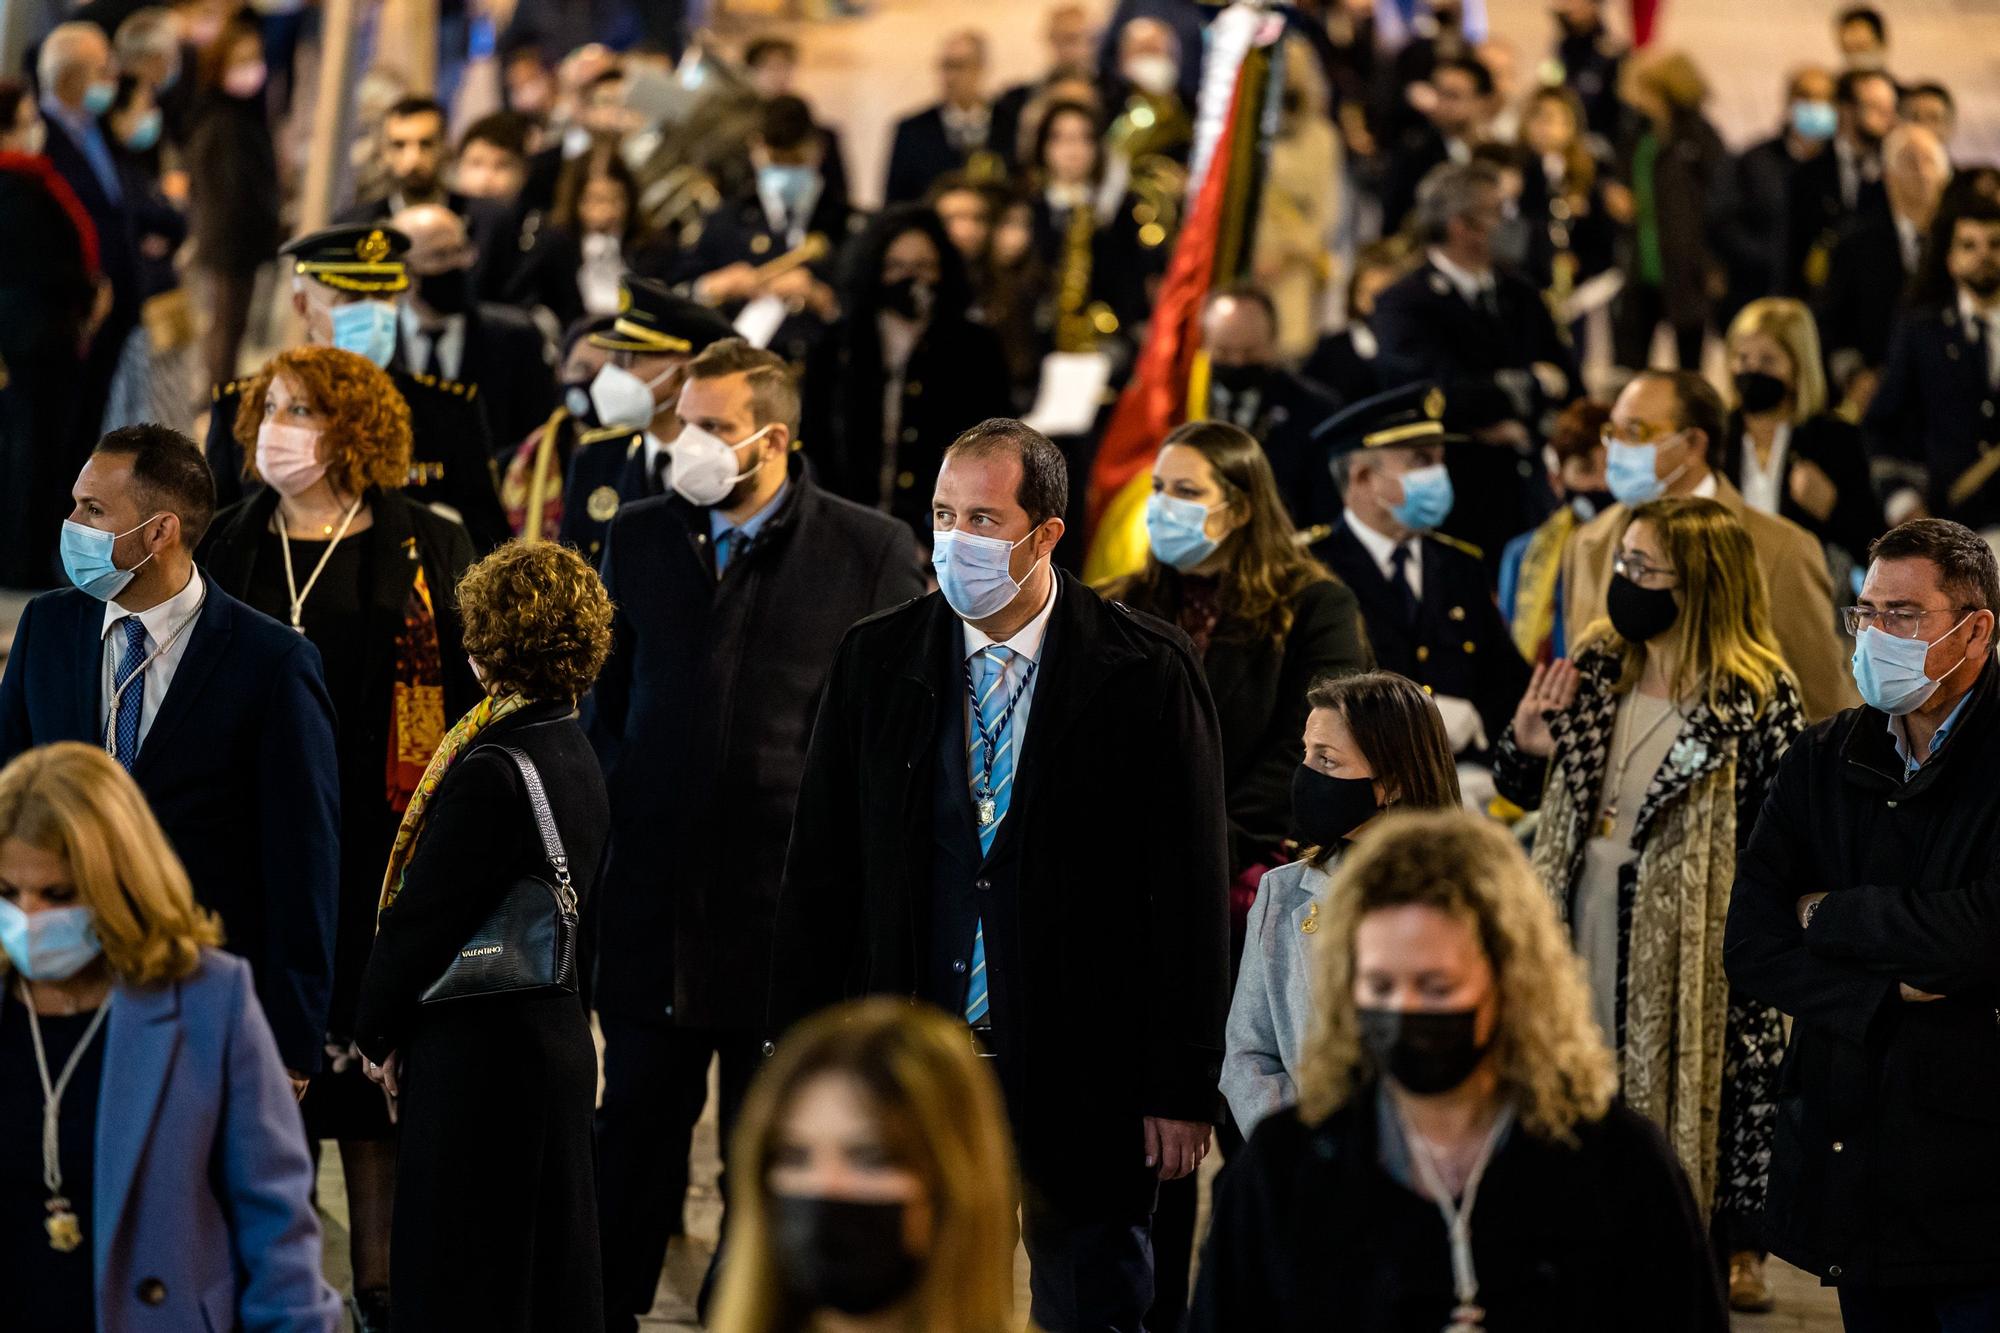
(1663, 439)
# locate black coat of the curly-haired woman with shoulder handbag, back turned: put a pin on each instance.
(495, 1222)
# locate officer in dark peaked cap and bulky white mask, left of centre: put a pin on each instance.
(627, 455)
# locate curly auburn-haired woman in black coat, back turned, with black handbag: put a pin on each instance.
(495, 1222)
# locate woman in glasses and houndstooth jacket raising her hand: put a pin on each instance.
(1649, 758)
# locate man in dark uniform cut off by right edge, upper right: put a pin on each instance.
(1935, 421)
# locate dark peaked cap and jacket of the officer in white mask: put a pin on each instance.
(609, 467)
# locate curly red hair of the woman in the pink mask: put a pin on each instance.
(367, 437)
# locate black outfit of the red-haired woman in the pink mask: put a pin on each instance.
(353, 619)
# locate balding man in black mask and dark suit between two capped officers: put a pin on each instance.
(445, 333)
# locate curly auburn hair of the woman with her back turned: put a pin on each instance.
(537, 621)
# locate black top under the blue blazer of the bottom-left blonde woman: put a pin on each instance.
(47, 1290)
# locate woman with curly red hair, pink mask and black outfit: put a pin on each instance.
(333, 547)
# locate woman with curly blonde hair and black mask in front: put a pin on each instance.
(1457, 1160)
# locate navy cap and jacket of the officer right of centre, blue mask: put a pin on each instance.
(1457, 643)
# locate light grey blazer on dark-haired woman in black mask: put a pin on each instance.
(1273, 1006)
